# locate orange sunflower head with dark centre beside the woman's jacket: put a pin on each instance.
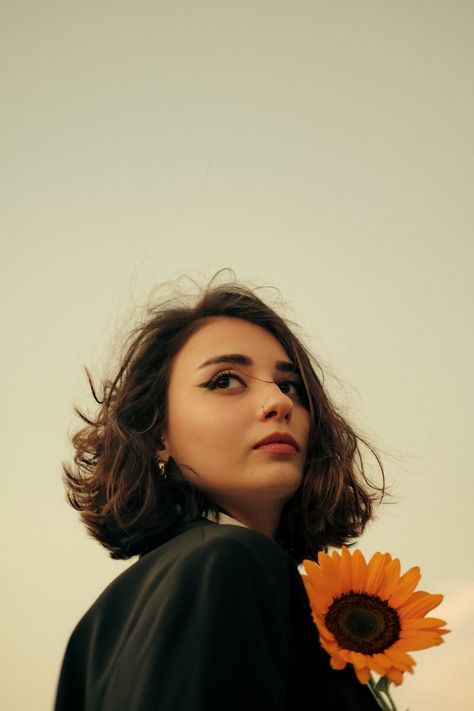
(369, 615)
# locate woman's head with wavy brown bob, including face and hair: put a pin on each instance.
(178, 397)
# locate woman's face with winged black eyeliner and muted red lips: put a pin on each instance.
(231, 386)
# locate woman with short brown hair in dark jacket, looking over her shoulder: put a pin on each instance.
(217, 457)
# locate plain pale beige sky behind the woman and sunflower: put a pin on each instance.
(325, 148)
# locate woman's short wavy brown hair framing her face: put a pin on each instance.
(114, 479)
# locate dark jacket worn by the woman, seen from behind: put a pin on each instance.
(215, 618)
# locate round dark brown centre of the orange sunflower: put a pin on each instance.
(363, 623)
